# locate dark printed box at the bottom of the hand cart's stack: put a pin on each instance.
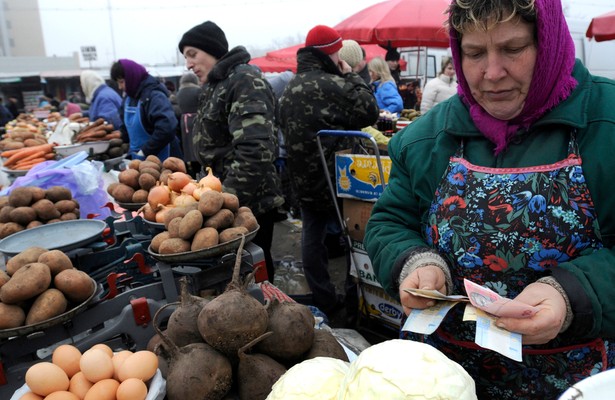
(377, 304)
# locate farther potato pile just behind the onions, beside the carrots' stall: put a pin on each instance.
(135, 181)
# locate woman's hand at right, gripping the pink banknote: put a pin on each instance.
(546, 323)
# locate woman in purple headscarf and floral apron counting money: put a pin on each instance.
(509, 184)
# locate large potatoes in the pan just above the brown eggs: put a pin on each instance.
(40, 284)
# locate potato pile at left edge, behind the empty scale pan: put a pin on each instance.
(30, 206)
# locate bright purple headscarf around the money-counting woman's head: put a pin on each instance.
(552, 81)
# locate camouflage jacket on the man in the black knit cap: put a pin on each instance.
(234, 131)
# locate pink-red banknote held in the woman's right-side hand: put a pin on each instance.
(491, 302)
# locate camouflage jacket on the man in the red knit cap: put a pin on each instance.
(320, 97)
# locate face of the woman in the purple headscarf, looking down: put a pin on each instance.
(498, 66)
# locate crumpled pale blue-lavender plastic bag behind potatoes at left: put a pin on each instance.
(82, 177)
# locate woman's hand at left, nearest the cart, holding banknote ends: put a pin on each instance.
(428, 277)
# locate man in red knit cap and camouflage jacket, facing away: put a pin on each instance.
(324, 94)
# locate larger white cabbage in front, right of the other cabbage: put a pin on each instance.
(404, 369)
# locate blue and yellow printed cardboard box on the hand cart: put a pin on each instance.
(358, 176)
